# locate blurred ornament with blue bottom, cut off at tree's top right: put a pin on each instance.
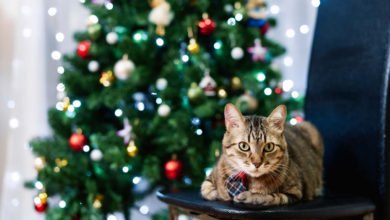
(256, 12)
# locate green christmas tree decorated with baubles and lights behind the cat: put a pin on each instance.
(143, 99)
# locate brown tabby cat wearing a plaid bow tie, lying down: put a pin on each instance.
(265, 161)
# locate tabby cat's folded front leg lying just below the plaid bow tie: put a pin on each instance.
(262, 199)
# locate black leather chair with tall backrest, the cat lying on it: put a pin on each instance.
(347, 99)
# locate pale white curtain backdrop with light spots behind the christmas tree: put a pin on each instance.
(35, 34)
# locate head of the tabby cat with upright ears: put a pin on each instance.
(255, 144)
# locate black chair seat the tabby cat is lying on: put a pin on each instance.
(326, 207)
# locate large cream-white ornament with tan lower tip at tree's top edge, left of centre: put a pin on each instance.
(160, 15)
